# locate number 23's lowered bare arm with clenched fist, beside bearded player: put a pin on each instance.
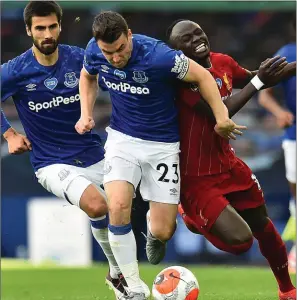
(88, 89)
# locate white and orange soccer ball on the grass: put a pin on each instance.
(175, 283)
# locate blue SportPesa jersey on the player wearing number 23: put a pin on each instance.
(143, 92)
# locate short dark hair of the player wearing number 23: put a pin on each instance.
(108, 26)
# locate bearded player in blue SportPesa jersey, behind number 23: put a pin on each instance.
(43, 83)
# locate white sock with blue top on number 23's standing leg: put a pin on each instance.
(123, 245)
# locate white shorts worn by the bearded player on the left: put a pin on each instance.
(69, 182)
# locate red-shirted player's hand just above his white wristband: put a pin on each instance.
(271, 68)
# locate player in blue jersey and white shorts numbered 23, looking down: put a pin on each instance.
(143, 140)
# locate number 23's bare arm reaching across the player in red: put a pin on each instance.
(209, 91)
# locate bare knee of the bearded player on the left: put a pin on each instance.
(95, 206)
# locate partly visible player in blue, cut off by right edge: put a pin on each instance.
(286, 118)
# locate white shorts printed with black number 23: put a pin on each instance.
(154, 164)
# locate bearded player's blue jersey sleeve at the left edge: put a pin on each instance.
(8, 81)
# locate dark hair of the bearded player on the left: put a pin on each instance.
(41, 9)
